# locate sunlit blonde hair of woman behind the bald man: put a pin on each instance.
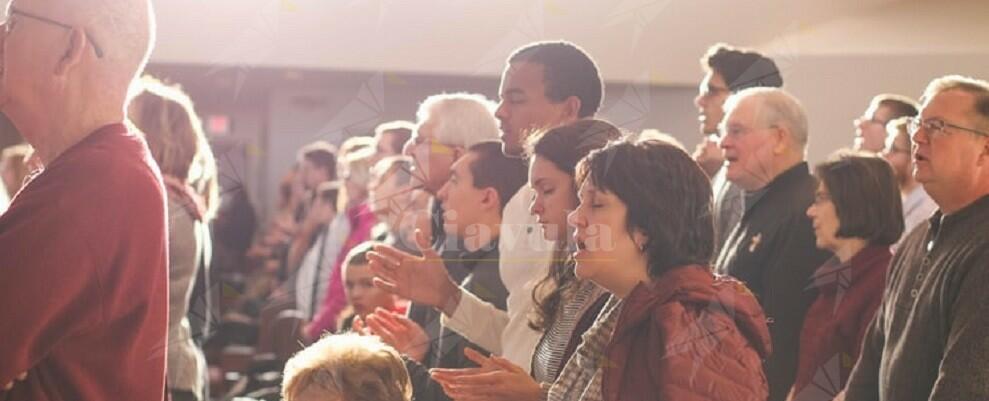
(174, 133)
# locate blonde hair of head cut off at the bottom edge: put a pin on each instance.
(351, 366)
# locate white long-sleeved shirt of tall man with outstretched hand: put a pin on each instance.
(524, 259)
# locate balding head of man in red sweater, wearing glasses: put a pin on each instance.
(67, 66)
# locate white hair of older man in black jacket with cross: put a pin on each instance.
(775, 106)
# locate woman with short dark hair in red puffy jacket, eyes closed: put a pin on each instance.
(671, 330)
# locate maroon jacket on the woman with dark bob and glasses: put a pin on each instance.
(848, 296)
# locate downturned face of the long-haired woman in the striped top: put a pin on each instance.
(554, 197)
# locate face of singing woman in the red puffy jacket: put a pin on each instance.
(601, 234)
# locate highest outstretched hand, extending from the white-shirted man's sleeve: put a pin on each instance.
(421, 279)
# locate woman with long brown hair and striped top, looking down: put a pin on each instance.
(565, 305)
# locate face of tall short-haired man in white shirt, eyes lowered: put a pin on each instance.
(524, 107)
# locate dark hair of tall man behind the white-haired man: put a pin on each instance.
(741, 69)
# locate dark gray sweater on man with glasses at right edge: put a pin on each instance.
(930, 338)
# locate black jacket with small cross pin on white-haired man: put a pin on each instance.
(772, 250)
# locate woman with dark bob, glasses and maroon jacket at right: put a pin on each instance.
(857, 214)
